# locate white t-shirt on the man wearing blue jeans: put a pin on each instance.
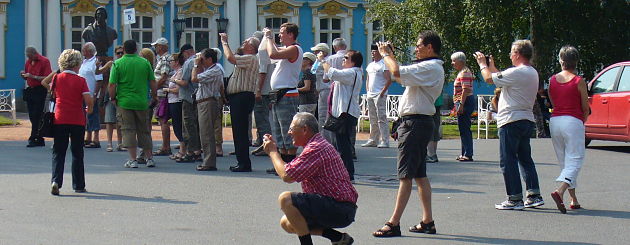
(518, 95)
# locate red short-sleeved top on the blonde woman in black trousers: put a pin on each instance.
(69, 90)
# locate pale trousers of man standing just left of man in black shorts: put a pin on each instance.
(379, 126)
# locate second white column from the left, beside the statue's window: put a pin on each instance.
(53, 36)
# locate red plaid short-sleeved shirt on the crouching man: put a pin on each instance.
(321, 171)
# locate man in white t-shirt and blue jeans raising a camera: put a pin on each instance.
(515, 120)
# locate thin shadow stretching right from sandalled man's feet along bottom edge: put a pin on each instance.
(492, 240)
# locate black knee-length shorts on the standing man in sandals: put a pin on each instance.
(414, 134)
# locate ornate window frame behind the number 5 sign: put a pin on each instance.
(148, 8)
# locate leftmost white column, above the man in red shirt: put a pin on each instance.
(33, 17)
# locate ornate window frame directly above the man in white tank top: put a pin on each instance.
(288, 9)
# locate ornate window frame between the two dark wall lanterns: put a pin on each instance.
(200, 8)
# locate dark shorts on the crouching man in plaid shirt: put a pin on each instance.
(322, 212)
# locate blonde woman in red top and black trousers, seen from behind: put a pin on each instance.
(71, 93)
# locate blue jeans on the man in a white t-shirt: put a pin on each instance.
(515, 151)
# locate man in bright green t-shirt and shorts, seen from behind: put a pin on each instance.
(129, 82)
